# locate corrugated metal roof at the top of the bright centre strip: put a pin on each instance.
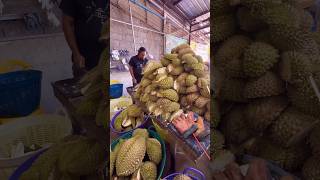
(193, 8)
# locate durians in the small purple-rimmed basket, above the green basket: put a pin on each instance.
(129, 119)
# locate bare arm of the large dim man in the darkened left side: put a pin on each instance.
(69, 33)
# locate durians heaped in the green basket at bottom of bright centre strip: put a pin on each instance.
(136, 158)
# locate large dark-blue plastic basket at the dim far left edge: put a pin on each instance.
(20, 93)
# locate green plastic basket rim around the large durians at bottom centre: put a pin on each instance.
(152, 134)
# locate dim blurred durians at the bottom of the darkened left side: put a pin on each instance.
(72, 158)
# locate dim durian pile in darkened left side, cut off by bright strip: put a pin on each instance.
(94, 88)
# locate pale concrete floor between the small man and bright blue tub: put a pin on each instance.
(124, 78)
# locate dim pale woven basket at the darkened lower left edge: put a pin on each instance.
(40, 130)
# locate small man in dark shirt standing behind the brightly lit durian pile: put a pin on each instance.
(136, 63)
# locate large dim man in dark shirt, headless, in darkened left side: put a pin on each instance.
(82, 23)
